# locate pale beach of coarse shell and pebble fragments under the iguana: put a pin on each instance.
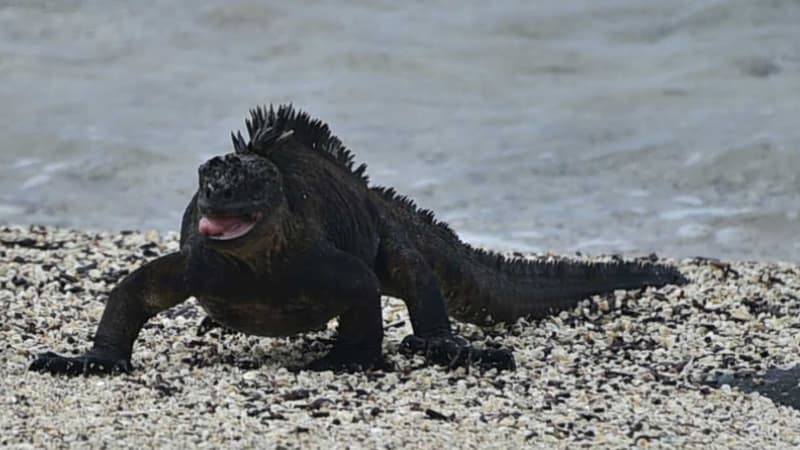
(633, 368)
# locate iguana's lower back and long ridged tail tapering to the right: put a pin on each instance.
(484, 287)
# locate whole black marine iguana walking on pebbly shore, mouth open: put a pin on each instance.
(285, 233)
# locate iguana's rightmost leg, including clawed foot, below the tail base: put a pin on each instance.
(411, 278)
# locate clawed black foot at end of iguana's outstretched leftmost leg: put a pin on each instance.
(87, 364)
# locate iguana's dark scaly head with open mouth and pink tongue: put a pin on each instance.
(237, 192)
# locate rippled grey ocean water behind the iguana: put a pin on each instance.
(601, 127)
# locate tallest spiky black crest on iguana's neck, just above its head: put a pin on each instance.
(267, 127)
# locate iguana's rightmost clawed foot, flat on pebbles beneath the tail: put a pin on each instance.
(454, 351)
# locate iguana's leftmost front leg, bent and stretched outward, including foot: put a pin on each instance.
(154, 287)
